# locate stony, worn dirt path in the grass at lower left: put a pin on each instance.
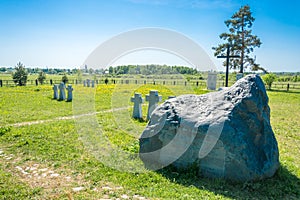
(59, 183)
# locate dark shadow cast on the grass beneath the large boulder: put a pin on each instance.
(283, 185)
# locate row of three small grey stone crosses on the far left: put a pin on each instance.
(60, 94)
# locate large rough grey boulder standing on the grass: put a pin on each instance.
(225, 134)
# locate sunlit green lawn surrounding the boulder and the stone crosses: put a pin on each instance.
(49, 157)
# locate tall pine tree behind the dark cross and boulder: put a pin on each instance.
(241, 40)
